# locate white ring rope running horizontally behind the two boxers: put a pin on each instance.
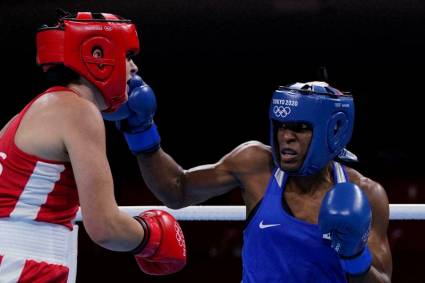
(238, 213)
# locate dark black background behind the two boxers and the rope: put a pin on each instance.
(213, 65)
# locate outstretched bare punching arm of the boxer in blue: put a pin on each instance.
(177, 187)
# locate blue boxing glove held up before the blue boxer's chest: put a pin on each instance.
(345, 216)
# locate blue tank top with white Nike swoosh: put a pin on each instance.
(281, 248)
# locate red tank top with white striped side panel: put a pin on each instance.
(33, 188)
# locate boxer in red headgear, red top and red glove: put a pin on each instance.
(53, 159)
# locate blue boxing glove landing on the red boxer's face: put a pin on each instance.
(135, 117)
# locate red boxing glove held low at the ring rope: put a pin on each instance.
(163, 250)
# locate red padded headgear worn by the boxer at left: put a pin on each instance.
(74, 39)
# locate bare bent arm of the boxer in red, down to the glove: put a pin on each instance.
(84, 139)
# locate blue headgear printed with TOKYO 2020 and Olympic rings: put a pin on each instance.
(328, 111)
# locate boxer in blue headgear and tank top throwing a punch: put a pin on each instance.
(311, 218)
